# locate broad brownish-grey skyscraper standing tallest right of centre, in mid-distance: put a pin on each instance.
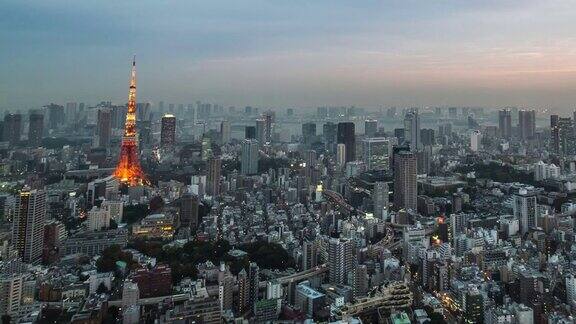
(405, 184)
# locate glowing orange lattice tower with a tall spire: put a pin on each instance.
(129, 171)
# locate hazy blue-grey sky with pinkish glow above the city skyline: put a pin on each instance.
(296, 53)
